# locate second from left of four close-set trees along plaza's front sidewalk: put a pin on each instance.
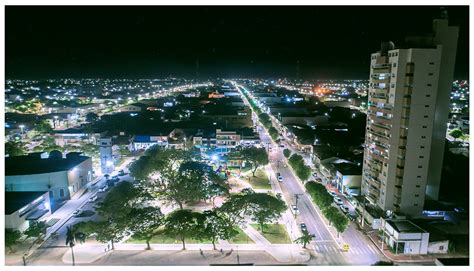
(145, 222)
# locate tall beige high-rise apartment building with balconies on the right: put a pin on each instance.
(406, 121)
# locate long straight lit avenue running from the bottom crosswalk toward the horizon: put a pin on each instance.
(324, 243)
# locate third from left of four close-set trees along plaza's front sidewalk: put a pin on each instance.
(184, 224)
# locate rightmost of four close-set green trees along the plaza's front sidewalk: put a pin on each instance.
(217, 226)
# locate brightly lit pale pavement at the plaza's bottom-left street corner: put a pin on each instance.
(85, 254)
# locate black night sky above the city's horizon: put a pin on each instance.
(157, 41)
